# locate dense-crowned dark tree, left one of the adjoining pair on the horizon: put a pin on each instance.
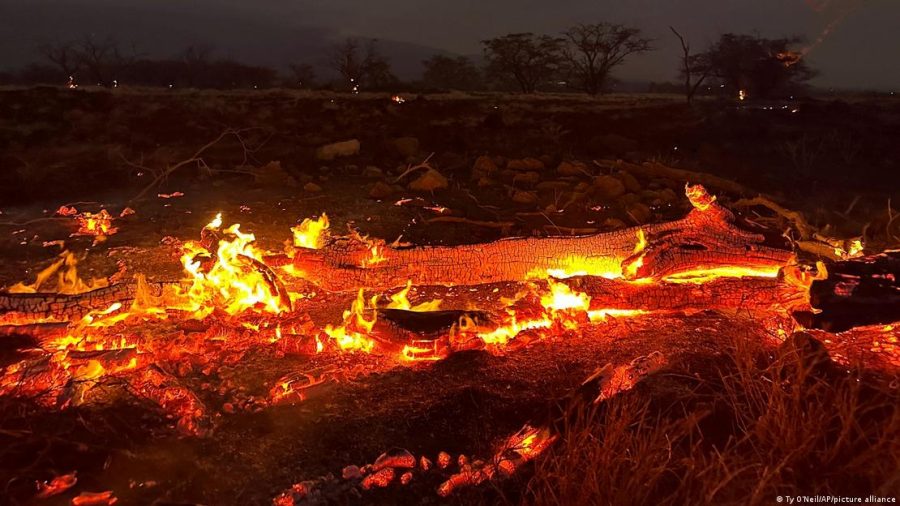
(526, 59)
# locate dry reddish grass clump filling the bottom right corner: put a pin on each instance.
(754, 426)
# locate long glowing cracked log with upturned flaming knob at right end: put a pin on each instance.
(707, 239)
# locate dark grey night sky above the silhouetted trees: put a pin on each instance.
(863, 51)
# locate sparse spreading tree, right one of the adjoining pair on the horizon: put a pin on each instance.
(593, 51)
